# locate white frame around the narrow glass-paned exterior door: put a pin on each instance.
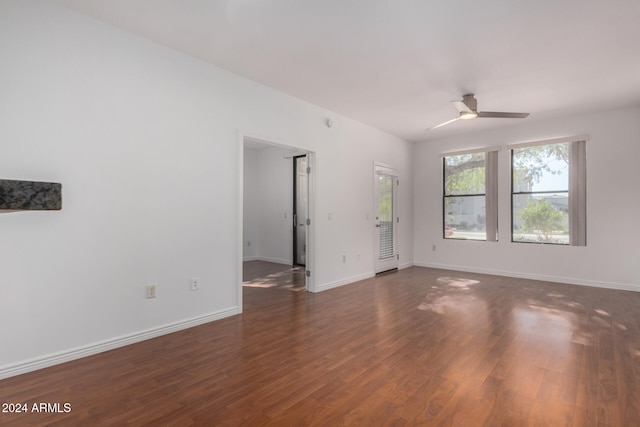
(378, 266)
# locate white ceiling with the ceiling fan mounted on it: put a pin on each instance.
(396, 65)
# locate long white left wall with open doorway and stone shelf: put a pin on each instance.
(145, 143)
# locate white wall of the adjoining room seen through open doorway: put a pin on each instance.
(268, 212)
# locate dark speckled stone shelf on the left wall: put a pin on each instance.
(30, 195)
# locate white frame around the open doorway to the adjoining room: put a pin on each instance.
(310, 283)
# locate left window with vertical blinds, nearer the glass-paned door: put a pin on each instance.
(470, 195)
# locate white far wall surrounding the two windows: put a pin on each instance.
(610, 258)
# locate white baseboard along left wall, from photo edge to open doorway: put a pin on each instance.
(99, 347)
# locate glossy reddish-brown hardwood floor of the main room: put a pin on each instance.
(416, 347)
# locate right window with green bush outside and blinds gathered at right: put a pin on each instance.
(548, 183)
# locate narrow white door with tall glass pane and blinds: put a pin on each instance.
(386, 218)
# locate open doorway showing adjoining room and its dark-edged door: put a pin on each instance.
(276, 235)
